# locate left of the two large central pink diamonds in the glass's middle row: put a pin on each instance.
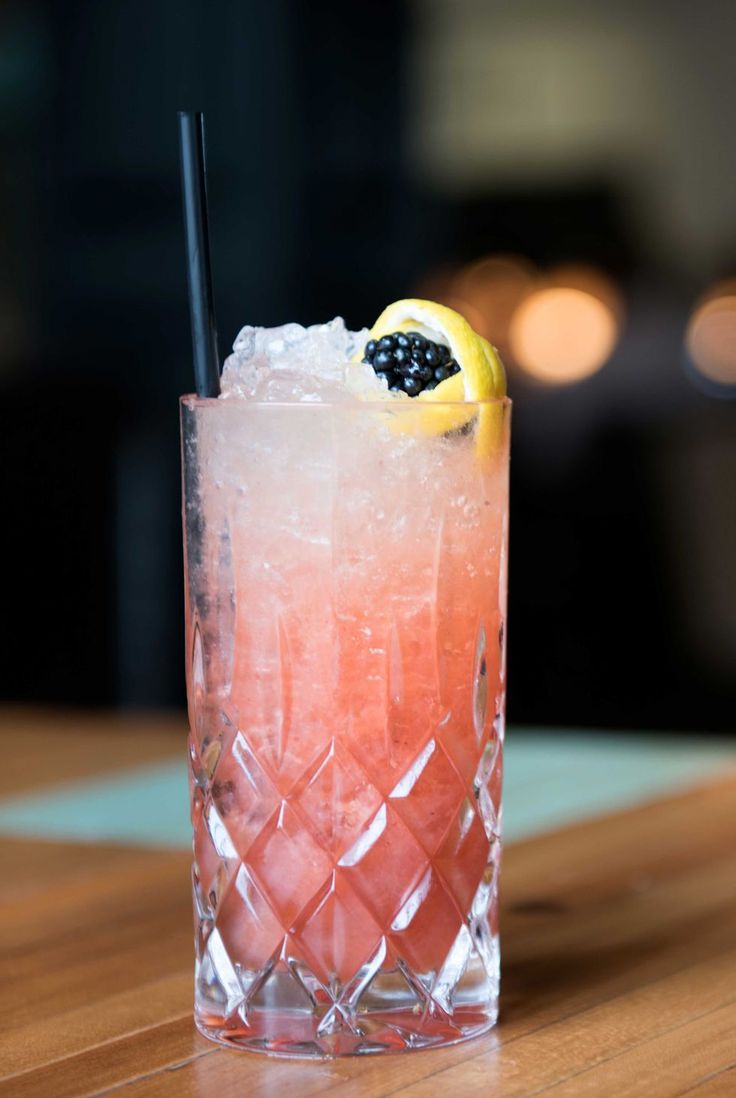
(288, 864)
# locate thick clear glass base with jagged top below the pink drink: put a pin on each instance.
(387, 1007)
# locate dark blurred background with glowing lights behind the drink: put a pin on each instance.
(561, 171)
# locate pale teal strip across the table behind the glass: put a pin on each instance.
(553, 778)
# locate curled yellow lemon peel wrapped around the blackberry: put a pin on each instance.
(482, 378)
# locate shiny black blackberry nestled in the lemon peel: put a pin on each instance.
(409, 362)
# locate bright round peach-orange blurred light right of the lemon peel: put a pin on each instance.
(562, 334)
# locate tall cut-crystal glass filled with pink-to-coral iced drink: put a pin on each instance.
(345, 603)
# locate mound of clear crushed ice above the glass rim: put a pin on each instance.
(296, 364)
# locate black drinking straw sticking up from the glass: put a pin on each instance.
(199, 272)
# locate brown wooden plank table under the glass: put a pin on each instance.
(619, 957)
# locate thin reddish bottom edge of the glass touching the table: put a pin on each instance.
(296, 1036)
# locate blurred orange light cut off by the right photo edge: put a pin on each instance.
(711, 337)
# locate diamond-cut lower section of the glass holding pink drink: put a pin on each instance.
(385, 909)
